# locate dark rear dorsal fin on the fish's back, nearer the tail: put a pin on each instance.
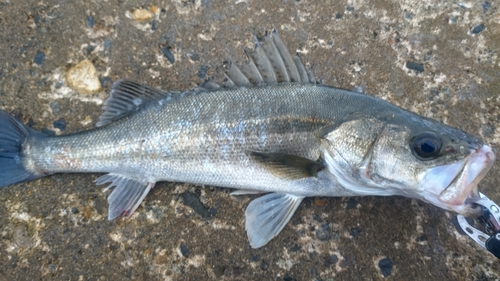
(126, 97)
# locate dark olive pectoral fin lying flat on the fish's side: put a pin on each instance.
(287, 166)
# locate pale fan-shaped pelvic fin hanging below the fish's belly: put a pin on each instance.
(267, 215)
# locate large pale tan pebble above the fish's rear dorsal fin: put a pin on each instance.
(83, 78)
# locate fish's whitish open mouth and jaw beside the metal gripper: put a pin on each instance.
(450, 186)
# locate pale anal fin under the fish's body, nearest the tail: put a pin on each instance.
(127, 195)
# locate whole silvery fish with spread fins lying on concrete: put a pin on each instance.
(268, 128)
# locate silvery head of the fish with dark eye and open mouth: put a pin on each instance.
(413, 156)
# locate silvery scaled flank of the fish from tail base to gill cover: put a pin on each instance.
(205, 136)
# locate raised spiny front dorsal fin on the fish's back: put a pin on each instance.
(269, 63)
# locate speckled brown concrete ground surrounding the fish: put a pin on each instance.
(437, 58)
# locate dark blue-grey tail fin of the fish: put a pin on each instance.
(12, 136)
